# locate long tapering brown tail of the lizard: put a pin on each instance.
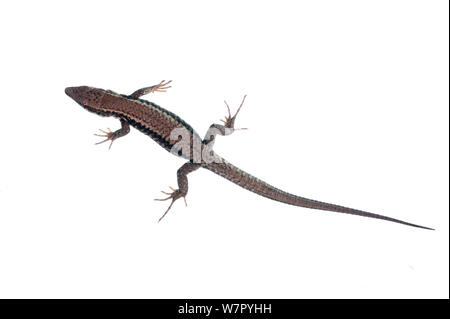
(255, 185)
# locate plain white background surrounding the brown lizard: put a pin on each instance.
(347, 103)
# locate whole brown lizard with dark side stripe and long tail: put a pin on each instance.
(178, 137)
